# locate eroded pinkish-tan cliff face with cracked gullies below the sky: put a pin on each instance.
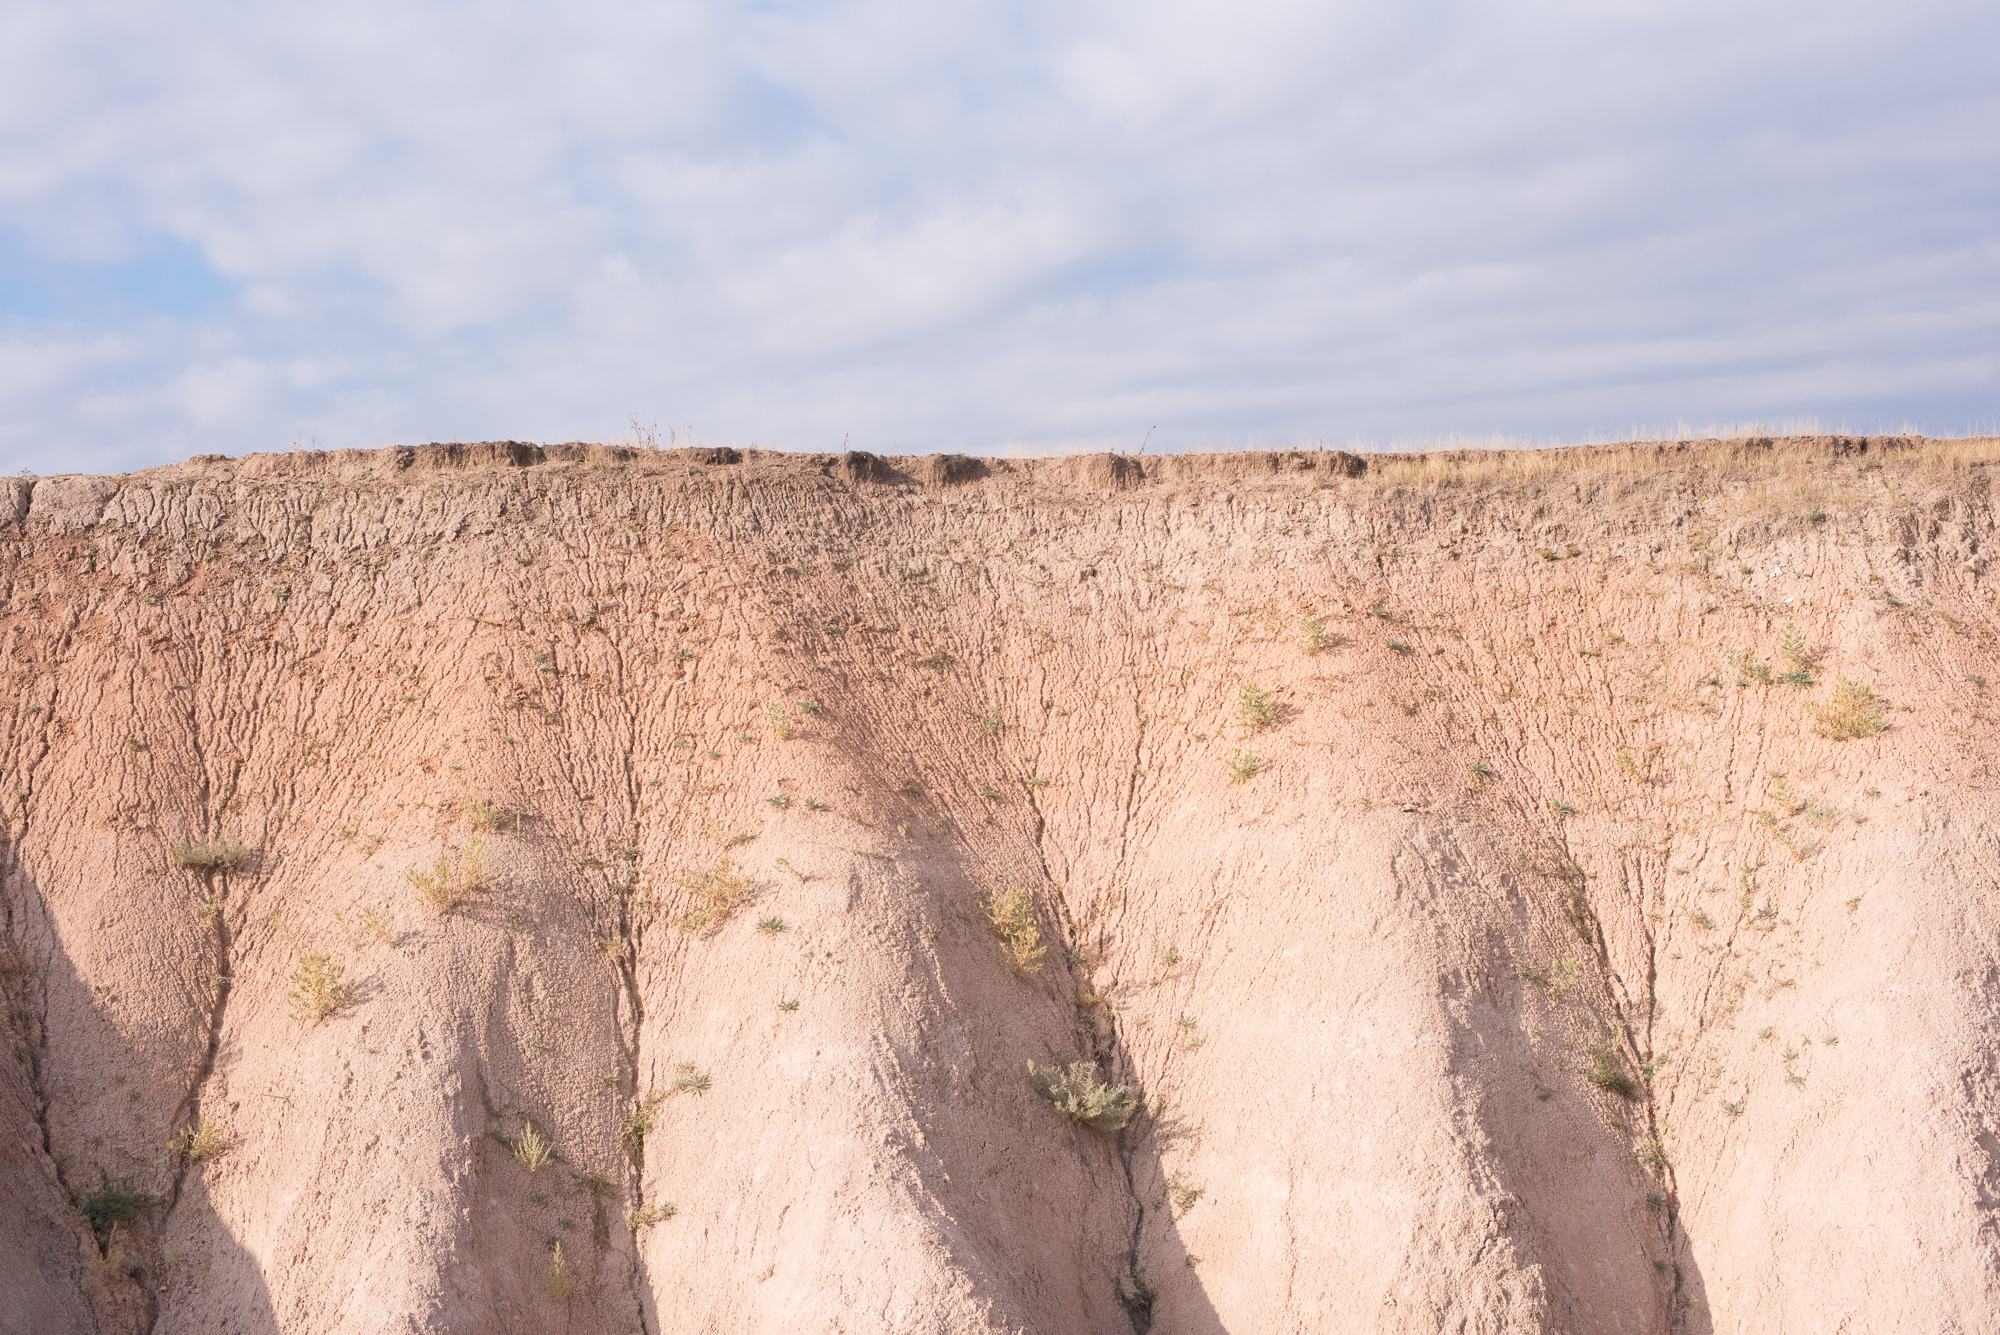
(1461, 858)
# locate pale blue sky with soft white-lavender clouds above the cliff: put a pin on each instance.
(915, 227)
